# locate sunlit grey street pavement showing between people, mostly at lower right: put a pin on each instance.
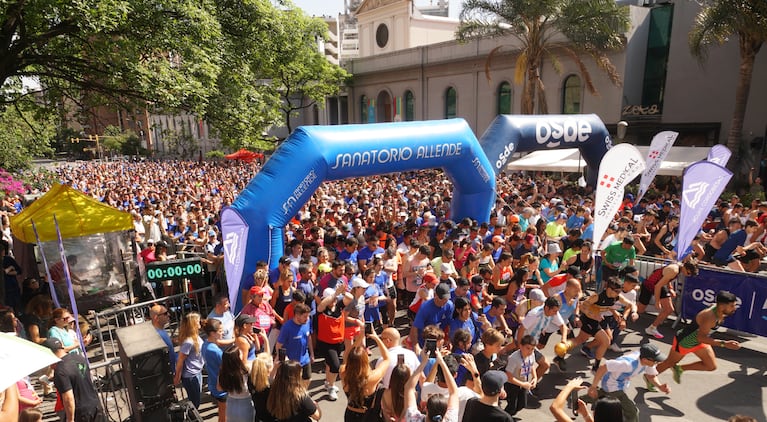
(737, 386)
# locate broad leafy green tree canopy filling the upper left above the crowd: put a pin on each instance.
(232, 62)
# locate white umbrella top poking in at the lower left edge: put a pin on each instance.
(19, 358)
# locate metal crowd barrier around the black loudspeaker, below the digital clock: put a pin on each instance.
(104, 359)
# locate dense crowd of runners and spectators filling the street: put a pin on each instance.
(459, 310)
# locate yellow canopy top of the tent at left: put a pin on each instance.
(78, 215)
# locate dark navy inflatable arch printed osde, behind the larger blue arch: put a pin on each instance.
(509, 134)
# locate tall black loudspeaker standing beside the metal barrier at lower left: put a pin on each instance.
(147, 373)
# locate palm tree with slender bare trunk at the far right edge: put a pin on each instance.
(715, 23)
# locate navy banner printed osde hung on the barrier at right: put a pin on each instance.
(751, 316)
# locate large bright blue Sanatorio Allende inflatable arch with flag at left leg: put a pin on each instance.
(253, 227)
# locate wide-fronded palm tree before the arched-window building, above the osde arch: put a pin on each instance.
(546, 29)
